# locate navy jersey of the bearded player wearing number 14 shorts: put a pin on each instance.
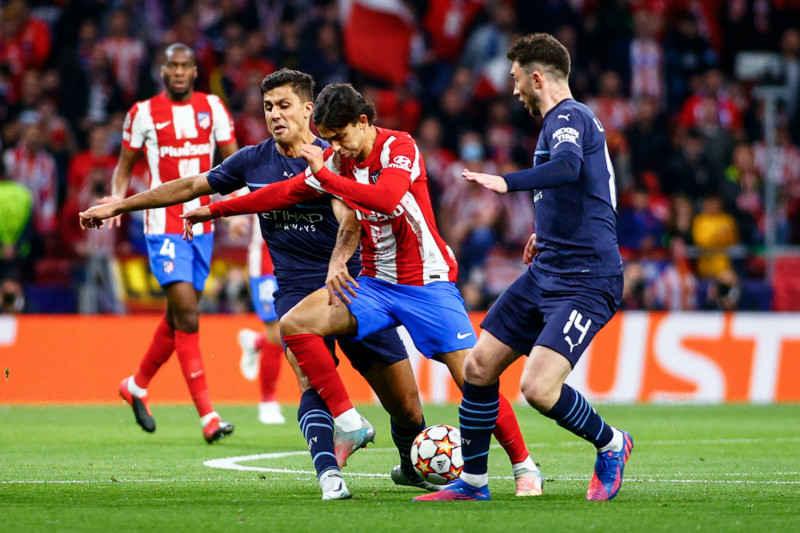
(576, 223)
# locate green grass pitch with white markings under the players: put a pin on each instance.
(707, 468)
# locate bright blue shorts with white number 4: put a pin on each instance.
(172, 259)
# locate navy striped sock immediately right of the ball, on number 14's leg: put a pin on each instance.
(477, 416)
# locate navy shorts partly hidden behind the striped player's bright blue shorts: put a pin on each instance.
(384, 346)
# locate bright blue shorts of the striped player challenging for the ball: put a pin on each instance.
(433, 314)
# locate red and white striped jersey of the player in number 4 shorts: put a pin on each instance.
(179, 140)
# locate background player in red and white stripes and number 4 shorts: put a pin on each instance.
(178, 131)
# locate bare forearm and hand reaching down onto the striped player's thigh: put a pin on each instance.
(339, 281)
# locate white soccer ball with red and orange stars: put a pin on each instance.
(436, 454)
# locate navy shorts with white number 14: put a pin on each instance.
(562, 313)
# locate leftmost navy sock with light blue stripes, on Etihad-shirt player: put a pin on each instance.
(316, 423)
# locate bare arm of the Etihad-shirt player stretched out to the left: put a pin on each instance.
(170, 193)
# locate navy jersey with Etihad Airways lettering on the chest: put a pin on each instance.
(300, 238)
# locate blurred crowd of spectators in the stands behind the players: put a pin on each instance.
(686, 136)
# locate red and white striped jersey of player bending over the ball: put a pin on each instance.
(403, 246)
